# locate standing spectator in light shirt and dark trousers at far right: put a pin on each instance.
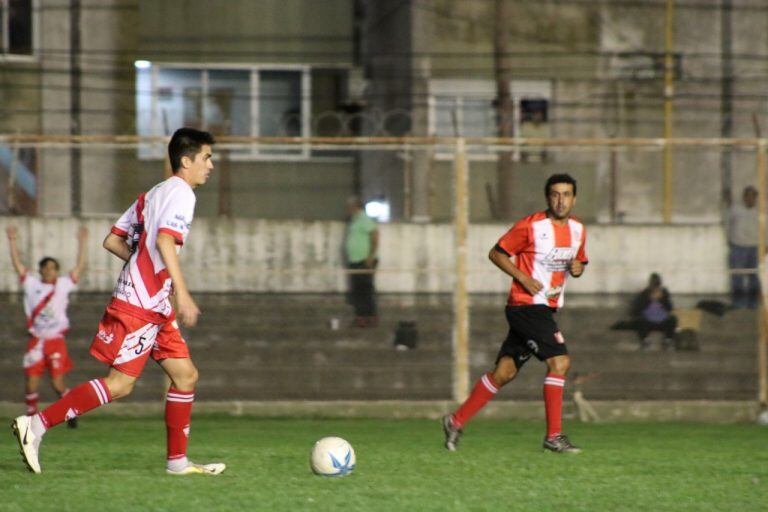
(743, 225)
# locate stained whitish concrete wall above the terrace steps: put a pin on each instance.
(292, 256)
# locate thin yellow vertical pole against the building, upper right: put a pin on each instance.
(669, 93)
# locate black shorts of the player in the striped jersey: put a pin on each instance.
(532, 332)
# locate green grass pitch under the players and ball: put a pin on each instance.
(118, 464)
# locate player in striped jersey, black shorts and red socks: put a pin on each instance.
(545, 246)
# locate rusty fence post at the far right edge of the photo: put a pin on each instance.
(762, 342)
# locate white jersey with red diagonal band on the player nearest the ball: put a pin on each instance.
(144, 284)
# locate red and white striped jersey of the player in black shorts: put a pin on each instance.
(543, 250)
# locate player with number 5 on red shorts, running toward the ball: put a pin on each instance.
(139, 321)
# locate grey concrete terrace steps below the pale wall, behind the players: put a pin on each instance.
(277, 347)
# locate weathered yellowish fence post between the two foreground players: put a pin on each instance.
(460, 299)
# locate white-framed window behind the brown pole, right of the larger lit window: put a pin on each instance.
(467, 108)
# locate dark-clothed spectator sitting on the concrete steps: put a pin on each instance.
(652, 310)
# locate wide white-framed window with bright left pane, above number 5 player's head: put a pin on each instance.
(233, 100)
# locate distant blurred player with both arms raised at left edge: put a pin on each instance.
(45, 305)
